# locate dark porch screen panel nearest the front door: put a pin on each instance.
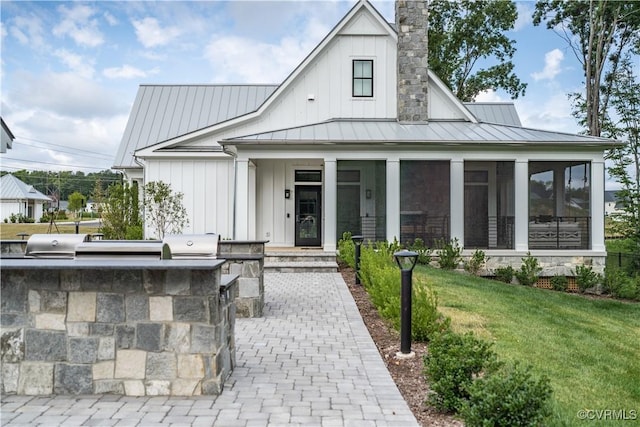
(361, 196)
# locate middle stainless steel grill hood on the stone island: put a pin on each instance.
(131, 249)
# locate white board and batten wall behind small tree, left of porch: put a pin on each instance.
(207, 186)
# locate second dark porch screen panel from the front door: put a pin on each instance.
(425, 201)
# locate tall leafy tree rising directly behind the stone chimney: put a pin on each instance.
(462, 35)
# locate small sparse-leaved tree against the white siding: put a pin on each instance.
(164, 212)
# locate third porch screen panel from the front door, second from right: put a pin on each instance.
(489, 205)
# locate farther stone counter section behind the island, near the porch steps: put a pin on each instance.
(245, 259)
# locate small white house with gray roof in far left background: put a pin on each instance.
(18, 198)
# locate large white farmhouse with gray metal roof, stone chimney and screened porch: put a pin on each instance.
(361, 137)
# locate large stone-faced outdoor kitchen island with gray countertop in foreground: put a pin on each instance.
(122, 325)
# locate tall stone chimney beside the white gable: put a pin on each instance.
(412, 24)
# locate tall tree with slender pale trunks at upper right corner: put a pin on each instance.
(598, 32)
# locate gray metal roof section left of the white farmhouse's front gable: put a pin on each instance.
(162, 112)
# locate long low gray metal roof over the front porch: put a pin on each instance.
(437, 132)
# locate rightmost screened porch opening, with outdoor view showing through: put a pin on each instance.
(559, 205)
